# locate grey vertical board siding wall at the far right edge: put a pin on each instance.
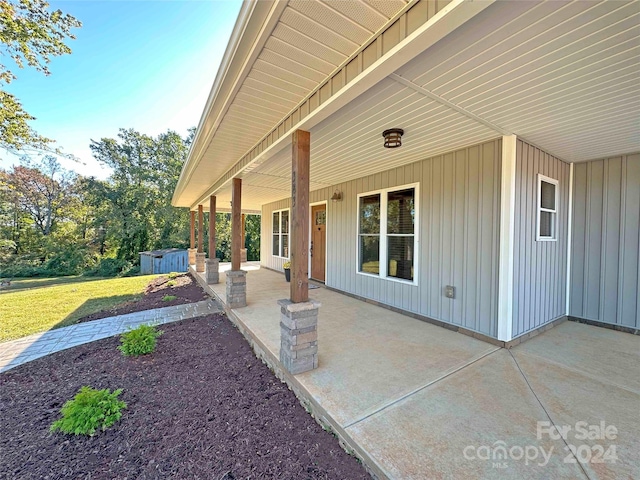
(605, 272)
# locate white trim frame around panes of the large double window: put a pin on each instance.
(383, 234)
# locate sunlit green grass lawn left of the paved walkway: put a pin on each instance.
(36, 305)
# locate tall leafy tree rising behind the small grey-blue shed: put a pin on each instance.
(138, 193)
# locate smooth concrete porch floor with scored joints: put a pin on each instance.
(417, 401)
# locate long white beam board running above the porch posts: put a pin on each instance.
(451, 17)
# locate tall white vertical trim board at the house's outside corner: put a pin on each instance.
(507, 237)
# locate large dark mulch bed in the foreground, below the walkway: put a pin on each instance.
(201, 406)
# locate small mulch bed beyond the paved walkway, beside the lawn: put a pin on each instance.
(183, 287)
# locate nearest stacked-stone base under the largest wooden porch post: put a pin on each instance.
(299, 335)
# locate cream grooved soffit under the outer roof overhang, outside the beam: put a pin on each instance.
(310, 40)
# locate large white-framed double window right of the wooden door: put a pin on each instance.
(388, 233)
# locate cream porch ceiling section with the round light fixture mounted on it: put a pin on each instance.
(349, 144)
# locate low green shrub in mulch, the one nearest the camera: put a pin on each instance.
(89, 411)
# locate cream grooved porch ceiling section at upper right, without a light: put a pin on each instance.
(564, 76)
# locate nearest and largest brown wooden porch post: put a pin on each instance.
(299, 248)
